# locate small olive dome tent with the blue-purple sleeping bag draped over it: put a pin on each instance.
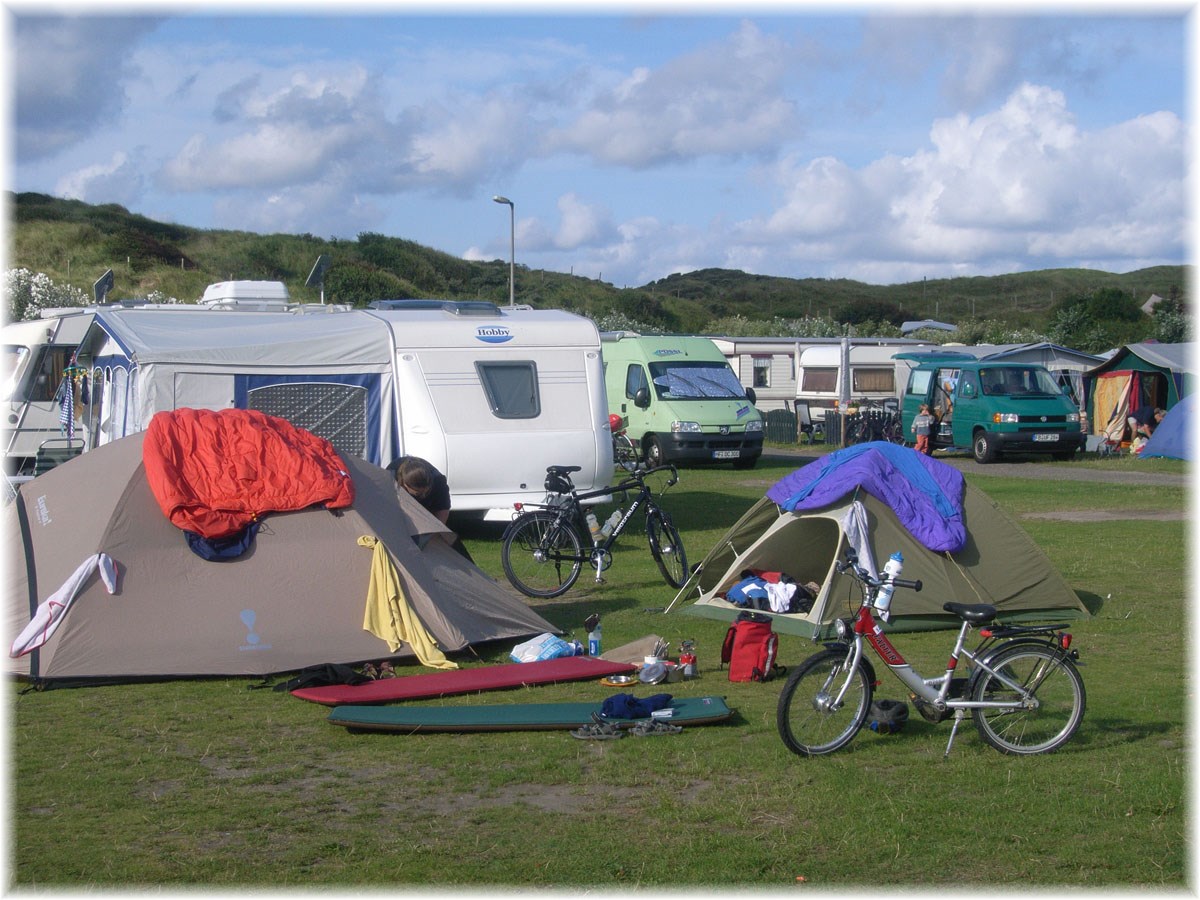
(983, 557)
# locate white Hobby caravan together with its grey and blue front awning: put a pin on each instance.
(490, 397)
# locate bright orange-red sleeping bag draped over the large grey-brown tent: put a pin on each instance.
(215, 472)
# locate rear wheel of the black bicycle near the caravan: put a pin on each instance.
(542, 555)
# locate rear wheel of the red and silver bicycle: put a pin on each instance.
(1049, 724)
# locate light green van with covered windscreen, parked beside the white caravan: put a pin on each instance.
(681, 400)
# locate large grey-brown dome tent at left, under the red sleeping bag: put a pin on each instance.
(297, 598)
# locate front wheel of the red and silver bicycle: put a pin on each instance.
(807, 723)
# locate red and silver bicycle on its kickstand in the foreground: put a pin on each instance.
(1023, 689)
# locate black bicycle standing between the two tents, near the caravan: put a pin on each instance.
(545, 548)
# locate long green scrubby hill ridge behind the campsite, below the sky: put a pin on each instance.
(75, 243)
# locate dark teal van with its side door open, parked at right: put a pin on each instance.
(993, 407)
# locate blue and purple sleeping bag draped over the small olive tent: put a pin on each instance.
(926, 494)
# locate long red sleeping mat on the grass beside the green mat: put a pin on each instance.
(465, 681)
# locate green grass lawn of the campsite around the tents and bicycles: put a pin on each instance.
(211, 784)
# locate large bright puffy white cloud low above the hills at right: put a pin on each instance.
(1018, 183)
